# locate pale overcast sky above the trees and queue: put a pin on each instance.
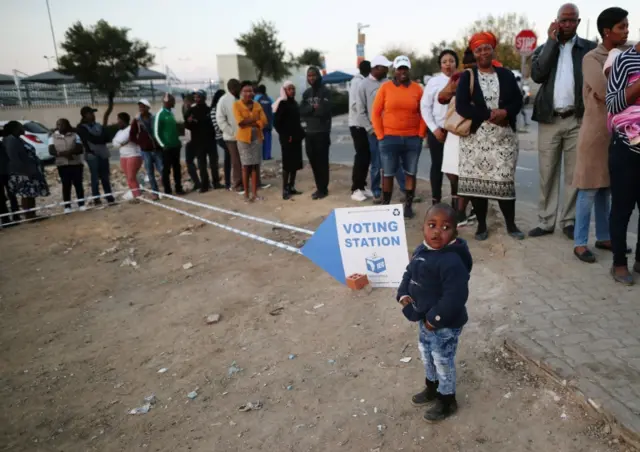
(193, 32)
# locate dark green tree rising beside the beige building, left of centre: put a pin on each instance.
(266, 52)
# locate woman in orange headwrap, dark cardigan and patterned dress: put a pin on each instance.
(489, 154)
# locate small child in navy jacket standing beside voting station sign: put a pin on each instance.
(433, 292)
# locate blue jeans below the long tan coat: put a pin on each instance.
(599, 199)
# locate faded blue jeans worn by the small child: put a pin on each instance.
(438, 352)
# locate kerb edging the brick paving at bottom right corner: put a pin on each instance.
(624, 423)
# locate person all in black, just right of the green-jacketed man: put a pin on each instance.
(203, 140)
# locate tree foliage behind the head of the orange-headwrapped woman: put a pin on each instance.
(505, 27)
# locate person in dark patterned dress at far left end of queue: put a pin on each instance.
(26, 174)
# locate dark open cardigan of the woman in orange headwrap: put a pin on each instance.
(474, 106)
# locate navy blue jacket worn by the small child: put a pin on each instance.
(438, 283)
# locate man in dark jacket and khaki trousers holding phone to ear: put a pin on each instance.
(558, 109)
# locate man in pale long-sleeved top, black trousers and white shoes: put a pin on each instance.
(362, 158)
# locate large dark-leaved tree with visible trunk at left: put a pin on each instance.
(103, 57)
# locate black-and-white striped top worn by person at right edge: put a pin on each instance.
(623, 70)
